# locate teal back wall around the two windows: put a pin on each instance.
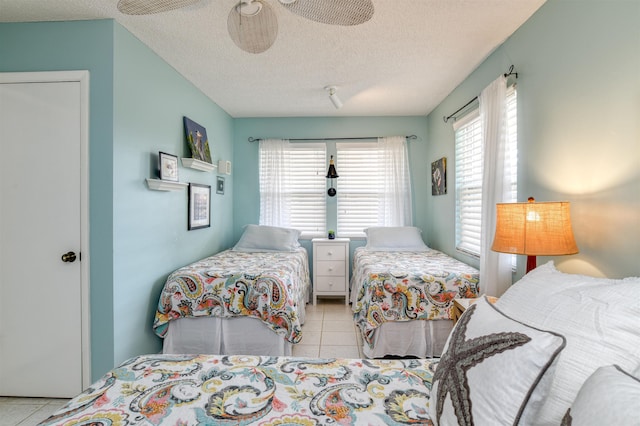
(247, 204)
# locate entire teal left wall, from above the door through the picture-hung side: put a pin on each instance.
(137, 236)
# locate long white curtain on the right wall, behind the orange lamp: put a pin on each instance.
(495, 268)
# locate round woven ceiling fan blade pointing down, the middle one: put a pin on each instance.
(253, 32)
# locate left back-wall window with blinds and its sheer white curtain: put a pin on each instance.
(292, 186)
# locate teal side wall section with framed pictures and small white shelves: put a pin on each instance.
(150, 227)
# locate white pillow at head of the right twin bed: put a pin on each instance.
(395, 238)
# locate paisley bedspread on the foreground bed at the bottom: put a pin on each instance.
(260, 390)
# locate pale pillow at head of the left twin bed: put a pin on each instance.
(258, 238)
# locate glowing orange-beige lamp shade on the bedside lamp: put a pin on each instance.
(534, 229)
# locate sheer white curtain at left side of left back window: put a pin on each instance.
(274, 209)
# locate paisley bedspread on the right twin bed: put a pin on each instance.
(404, 286)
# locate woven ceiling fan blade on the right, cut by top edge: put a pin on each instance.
(333, 12)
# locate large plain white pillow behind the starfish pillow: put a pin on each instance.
(599, 317)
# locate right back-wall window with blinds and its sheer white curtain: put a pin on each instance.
(374, 186)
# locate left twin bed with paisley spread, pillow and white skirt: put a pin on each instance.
(247, 300)
